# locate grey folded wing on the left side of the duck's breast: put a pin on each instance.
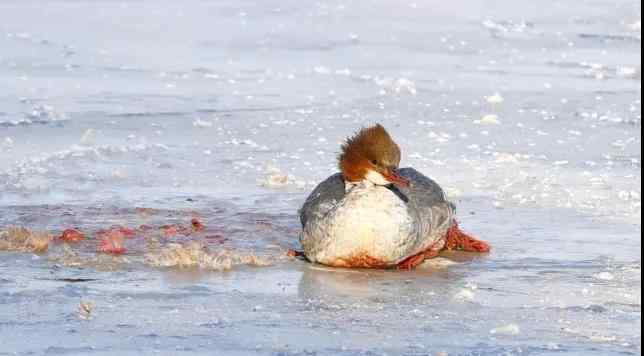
(327, 194)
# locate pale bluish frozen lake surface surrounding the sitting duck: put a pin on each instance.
(151, 113)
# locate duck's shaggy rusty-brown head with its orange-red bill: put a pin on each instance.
(372, 155)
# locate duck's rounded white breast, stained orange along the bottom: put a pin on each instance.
(370, 227)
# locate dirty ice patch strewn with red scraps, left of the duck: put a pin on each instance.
(112, 238)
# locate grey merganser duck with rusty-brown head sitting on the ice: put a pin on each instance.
(375, 215)
